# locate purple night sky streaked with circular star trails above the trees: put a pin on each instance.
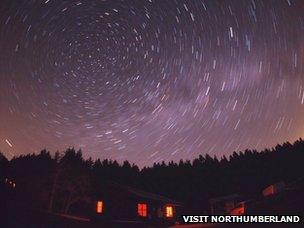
(150, 80)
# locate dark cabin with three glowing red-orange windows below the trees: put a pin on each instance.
(118, 203)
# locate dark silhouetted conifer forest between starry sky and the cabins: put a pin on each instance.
(64, 181)
